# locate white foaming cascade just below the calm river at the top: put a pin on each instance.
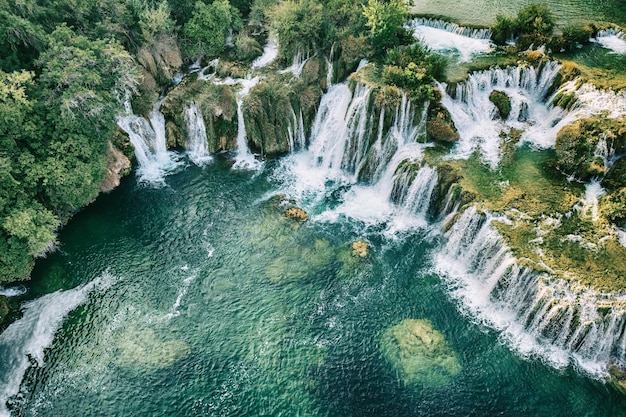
(447, 37)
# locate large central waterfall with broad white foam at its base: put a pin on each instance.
(346, 144)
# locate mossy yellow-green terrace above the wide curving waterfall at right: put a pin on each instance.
(547, 232)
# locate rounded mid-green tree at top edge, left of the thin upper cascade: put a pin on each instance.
(205, 33)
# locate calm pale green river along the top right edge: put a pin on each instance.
(483, 12)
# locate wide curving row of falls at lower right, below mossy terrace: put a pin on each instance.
(559, 321)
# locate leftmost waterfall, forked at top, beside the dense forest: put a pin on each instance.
(148, 139)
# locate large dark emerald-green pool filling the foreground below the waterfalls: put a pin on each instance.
(273, 318)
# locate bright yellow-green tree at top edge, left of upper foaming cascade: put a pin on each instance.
(385, 21)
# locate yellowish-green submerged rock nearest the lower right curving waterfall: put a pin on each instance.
(420, 354)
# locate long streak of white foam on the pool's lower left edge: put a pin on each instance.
(24, 342)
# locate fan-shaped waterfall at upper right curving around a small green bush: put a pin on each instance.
(475, 116)
